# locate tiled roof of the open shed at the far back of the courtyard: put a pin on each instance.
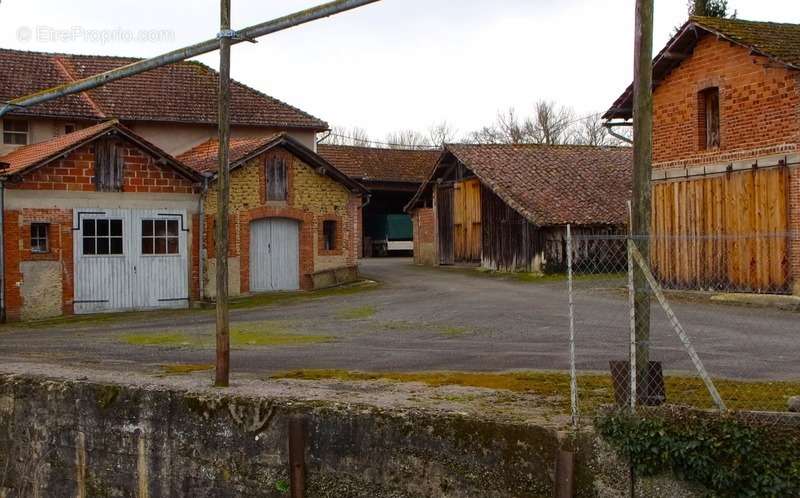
(383, 165)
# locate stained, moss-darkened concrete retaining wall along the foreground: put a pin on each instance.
(71, 438)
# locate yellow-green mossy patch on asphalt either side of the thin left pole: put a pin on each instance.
(242, 335)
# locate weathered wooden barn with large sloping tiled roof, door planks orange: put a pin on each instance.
(506, 207)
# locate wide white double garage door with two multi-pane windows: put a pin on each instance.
(129, 259)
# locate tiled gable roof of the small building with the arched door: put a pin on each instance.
(204, 159)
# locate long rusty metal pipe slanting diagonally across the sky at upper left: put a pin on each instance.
(246, 34)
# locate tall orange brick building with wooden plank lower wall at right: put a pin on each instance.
(726, 182)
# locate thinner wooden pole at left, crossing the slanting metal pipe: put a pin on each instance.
(223, 192)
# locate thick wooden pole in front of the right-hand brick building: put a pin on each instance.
(642, 165)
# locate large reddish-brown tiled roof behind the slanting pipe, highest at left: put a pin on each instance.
(183, 92)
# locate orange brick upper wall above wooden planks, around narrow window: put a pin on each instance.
(759, 104)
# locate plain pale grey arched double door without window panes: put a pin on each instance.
(274, 255)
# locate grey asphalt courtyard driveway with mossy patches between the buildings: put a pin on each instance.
(424, 319)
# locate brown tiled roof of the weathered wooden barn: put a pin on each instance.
(550, 185)
